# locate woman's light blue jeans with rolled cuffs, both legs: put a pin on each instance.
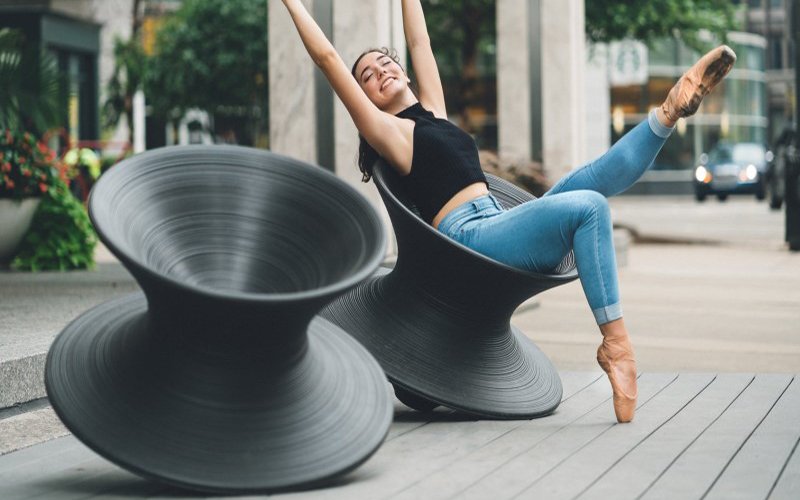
(573, 215)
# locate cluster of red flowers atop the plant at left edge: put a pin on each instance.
(27, 166)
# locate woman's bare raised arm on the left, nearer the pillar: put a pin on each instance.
(378, 128)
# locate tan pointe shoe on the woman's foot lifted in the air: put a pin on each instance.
(685, 97)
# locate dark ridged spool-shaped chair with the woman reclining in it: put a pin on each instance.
(439, 322)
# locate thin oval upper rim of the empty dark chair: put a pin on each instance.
(242, 297)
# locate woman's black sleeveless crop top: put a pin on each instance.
(444, 161)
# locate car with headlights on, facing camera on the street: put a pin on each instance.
(732, 168)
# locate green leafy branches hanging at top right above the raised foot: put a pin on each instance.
(646, 20)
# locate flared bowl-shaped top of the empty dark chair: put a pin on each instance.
(237, 222)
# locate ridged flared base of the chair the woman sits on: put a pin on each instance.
(488, 372)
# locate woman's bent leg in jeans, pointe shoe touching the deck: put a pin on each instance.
(536, 236)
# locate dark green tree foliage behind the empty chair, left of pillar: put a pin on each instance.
(212, 55)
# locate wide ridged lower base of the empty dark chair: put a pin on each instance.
(208, 421)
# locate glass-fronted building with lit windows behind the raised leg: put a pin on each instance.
(736, 110)
